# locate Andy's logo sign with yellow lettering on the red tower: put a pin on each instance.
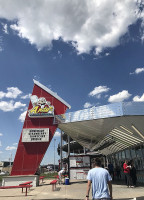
(41, 107)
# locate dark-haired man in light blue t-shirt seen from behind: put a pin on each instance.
(101, 182)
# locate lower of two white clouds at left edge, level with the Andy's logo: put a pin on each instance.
(10, 106)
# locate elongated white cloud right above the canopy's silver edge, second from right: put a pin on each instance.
(121, 96)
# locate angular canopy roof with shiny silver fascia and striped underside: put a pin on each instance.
(107, 129)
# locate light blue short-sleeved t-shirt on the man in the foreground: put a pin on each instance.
(99, 178)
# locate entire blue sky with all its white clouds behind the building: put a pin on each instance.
(90, 53)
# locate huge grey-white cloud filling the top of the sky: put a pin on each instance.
(85, 24)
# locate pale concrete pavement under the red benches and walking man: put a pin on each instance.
(76, 190)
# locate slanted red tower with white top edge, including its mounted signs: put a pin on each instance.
(38, 129)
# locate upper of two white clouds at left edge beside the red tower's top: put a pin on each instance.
(12, 92)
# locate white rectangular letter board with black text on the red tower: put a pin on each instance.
(35, 135)
